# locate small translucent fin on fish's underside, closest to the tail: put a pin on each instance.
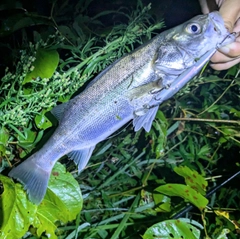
(81, 157)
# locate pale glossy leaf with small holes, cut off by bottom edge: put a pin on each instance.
(172, 229)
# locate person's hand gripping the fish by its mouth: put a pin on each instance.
(228, 55)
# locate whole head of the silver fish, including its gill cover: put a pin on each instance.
(186, 43)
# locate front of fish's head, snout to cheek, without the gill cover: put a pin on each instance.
(200, 34)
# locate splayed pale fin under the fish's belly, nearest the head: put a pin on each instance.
(145, 121)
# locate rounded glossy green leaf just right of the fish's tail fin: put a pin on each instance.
(63, 201)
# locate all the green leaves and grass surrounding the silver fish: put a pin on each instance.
(133, 186)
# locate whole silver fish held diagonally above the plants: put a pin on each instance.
(127, 90)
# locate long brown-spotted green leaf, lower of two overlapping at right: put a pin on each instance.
(185, 192)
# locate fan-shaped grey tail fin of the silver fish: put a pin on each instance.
(33, 177)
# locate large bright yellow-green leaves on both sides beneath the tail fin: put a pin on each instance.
(63, 201)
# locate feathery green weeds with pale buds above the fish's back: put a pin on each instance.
(31, 91)
